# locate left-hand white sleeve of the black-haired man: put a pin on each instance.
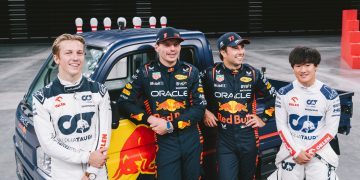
(282, 116)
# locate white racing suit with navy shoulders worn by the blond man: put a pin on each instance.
(71, 121)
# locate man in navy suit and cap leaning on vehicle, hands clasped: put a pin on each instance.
(174, 104)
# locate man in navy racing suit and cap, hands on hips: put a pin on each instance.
(231, 88)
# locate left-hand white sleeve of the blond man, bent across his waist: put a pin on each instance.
(49, 141)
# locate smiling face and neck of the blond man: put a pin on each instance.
(70, 59)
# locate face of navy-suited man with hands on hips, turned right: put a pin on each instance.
(234, 56)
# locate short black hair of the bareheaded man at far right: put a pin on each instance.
(303, 55)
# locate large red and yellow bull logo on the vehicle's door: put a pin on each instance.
(138, 153)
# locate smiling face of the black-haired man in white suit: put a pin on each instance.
(305, 73)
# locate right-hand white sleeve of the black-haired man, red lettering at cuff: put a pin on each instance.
(332, 119)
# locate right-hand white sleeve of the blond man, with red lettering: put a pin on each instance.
(104, 125)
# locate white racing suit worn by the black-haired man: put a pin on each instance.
(307, 118)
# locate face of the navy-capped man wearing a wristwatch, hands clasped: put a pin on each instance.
(168, 51)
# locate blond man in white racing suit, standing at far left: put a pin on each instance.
(72, 116)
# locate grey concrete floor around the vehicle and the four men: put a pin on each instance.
(20, 63)
